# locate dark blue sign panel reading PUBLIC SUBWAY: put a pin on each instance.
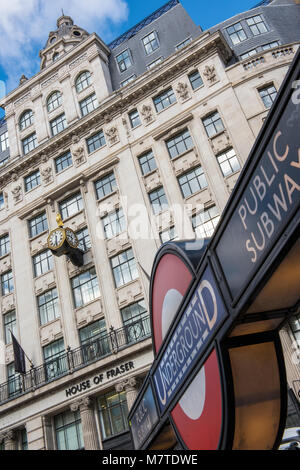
(269, 200)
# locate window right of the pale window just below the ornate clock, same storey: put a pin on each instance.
(124, 268)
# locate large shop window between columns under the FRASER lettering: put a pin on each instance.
(113, 412)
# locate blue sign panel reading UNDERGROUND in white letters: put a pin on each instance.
(201, 318)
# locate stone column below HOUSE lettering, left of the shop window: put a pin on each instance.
(89, 429)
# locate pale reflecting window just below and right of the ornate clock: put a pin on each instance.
(85, 287)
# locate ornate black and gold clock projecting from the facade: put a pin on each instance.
(64, 241)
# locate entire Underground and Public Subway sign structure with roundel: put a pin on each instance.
(218, 376)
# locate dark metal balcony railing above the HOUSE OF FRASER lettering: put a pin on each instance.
(72, 360)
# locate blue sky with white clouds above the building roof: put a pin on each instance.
(25, 25)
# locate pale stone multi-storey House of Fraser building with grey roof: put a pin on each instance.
(134, 143)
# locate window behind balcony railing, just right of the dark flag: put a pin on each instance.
(55, 359)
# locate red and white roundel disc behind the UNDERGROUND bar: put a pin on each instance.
(198, 414)
